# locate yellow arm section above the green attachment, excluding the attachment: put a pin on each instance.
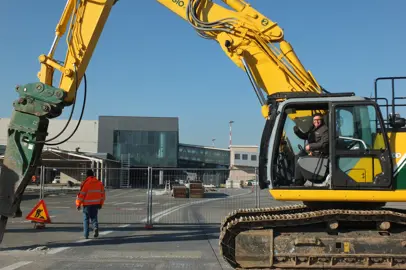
(86, 20)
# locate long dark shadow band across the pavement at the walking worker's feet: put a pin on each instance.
(191, 233)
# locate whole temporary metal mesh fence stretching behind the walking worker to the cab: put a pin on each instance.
(145, 195)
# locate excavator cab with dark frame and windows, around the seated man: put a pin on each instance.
(358, 156)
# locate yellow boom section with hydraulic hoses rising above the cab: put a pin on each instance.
(248, 38)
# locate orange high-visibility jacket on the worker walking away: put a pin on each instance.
(91, 192)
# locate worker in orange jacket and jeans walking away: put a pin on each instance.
(91, 196)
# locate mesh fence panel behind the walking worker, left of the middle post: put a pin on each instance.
(126, 197)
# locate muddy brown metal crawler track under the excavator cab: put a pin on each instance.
(297, 237)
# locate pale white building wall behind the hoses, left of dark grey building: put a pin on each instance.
(85, 137)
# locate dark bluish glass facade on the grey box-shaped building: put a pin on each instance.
(147, 148)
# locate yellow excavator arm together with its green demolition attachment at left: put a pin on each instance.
(83, 21)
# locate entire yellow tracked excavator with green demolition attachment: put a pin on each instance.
(343, 221)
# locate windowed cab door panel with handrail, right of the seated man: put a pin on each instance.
(360, 151)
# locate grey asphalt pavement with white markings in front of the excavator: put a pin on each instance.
(184, 235)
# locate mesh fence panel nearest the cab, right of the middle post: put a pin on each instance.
(224, 190)
